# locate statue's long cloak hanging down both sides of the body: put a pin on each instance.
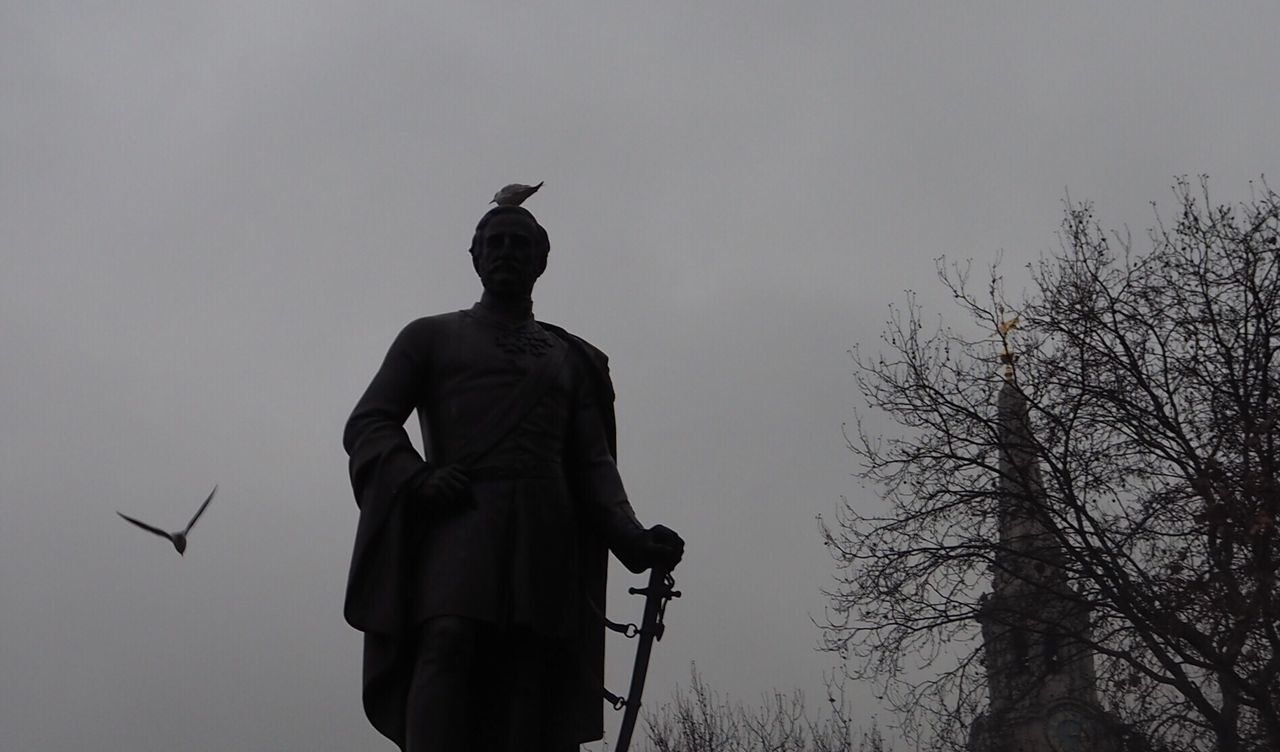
(382, 577)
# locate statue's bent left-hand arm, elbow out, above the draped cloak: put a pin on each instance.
(374, 435)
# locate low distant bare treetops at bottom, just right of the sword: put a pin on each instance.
(703, 721)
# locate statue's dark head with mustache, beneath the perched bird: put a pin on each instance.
(510, 251)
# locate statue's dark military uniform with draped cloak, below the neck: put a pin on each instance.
(524, 552)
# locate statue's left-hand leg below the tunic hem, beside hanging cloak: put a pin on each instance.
(442, 699)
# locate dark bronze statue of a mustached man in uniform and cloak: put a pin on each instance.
(478, 574)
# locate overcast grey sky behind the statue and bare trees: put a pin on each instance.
(216, 217)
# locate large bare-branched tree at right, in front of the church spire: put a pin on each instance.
(1153, 389)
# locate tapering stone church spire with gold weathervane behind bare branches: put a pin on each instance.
(1035, 626)
